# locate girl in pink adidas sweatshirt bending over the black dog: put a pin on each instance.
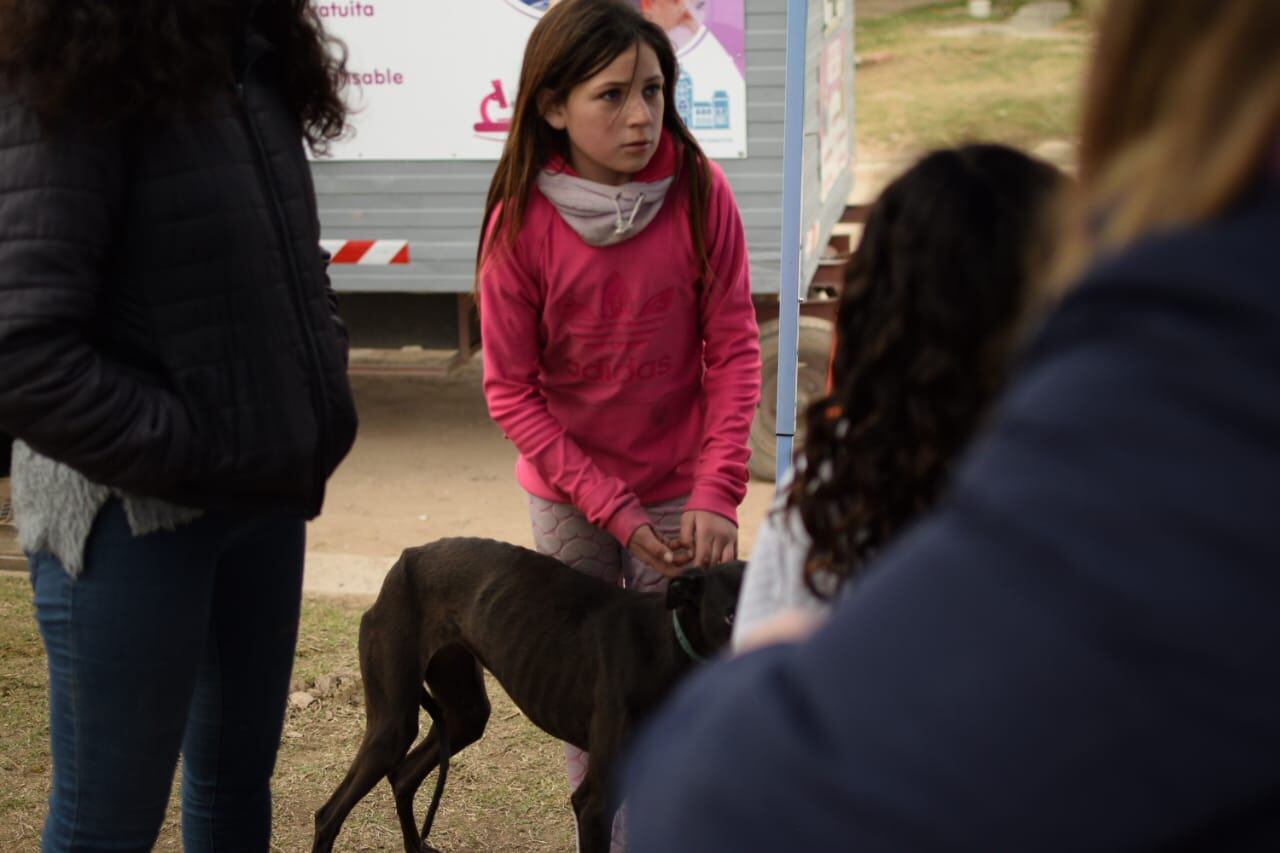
(620, 345)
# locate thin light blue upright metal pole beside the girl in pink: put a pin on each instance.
(793, 175)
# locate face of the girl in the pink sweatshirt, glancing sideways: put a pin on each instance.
(614, 120)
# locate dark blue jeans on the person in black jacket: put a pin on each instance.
(176, 641)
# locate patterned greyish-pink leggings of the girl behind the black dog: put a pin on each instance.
(563, 532)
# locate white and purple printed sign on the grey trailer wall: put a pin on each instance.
(437, 81)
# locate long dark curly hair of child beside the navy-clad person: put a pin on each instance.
(925, 326)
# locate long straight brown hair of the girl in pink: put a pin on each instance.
(575, 40)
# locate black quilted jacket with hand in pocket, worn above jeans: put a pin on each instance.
(167, 325)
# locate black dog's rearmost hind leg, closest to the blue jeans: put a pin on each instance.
(390, 668)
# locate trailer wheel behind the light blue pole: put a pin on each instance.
(816, 337)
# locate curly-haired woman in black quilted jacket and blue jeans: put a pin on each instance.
(175, 377)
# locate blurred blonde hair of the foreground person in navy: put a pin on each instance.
(1182, 112)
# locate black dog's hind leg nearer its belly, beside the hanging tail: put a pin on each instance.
(456, 683)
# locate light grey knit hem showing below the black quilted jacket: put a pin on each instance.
(54, 508)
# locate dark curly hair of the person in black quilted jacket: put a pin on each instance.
(112, 61)
